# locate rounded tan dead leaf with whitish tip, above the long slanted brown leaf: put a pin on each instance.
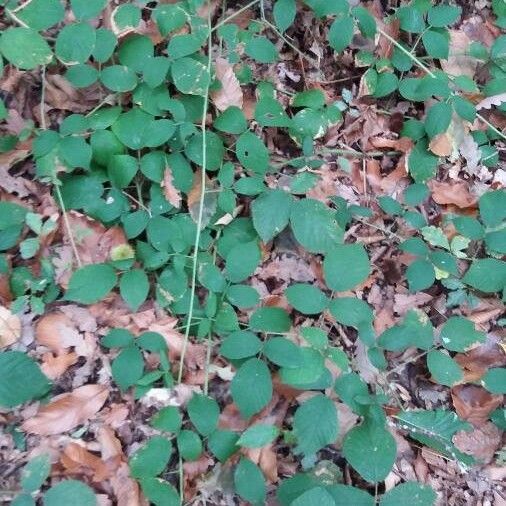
(57, 332)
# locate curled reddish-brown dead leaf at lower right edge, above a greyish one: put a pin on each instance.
(474, 403)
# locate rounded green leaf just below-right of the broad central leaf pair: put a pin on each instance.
(346, 266)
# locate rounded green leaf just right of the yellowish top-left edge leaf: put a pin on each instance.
(75, 43)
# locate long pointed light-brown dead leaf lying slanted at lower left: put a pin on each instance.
(68, 410)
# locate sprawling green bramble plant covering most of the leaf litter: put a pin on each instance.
(171, 155)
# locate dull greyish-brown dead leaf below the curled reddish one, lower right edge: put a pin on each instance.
(481, 443)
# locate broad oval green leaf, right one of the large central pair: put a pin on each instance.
(314, 225)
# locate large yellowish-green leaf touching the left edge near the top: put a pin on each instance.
(25, 48)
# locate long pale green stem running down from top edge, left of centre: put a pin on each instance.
(201, 206)
